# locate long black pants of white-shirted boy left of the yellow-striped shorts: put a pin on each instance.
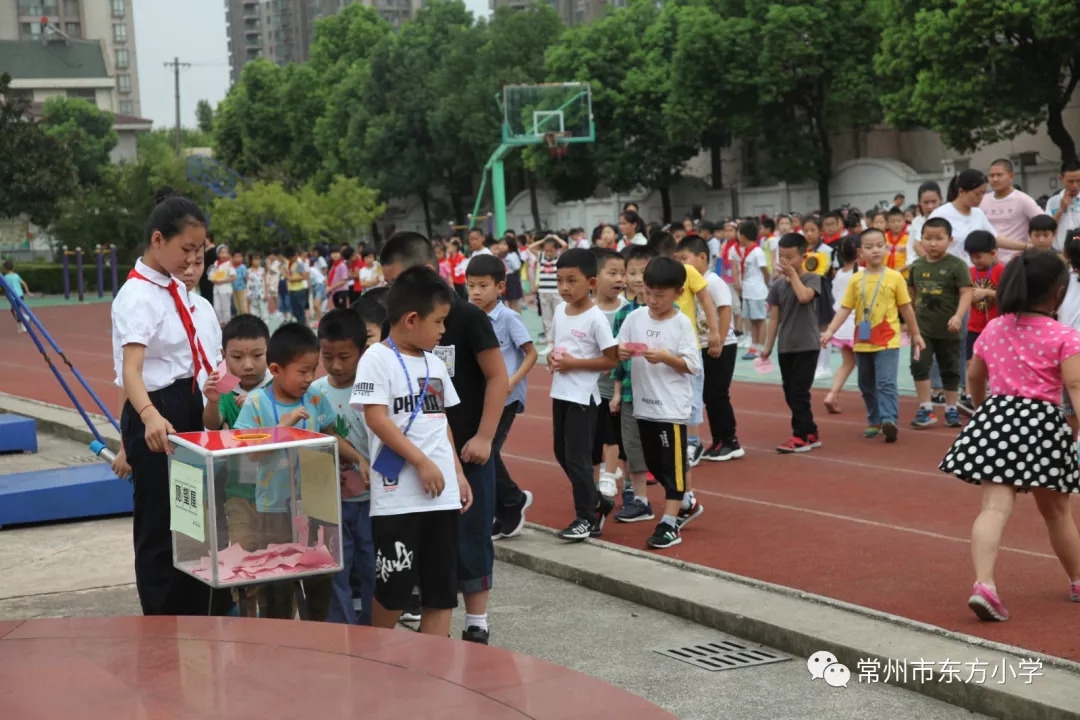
(574, 426)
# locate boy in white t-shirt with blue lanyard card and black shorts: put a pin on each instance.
(418, 487)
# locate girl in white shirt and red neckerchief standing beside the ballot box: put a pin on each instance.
(157, 362)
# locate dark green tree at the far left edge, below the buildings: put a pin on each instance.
(37, 169)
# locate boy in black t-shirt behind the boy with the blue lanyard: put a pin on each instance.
(470, 349)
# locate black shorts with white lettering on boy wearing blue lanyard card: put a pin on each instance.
(416, 550)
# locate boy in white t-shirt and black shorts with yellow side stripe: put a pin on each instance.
(663, 343)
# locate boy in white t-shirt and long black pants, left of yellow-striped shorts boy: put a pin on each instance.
(583, 349)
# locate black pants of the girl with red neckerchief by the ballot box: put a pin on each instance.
(163, 589)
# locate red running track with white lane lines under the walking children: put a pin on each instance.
(859, 521)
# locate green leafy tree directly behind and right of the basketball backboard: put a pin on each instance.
(627, 58)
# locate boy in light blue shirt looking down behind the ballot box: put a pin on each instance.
(289, 401)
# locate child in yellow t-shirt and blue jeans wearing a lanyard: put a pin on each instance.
(879, 296)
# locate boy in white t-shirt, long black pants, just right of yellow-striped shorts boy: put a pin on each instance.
(714, 382)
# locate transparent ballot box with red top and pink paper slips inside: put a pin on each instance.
(250, 507)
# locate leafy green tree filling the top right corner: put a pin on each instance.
(981, 73)
